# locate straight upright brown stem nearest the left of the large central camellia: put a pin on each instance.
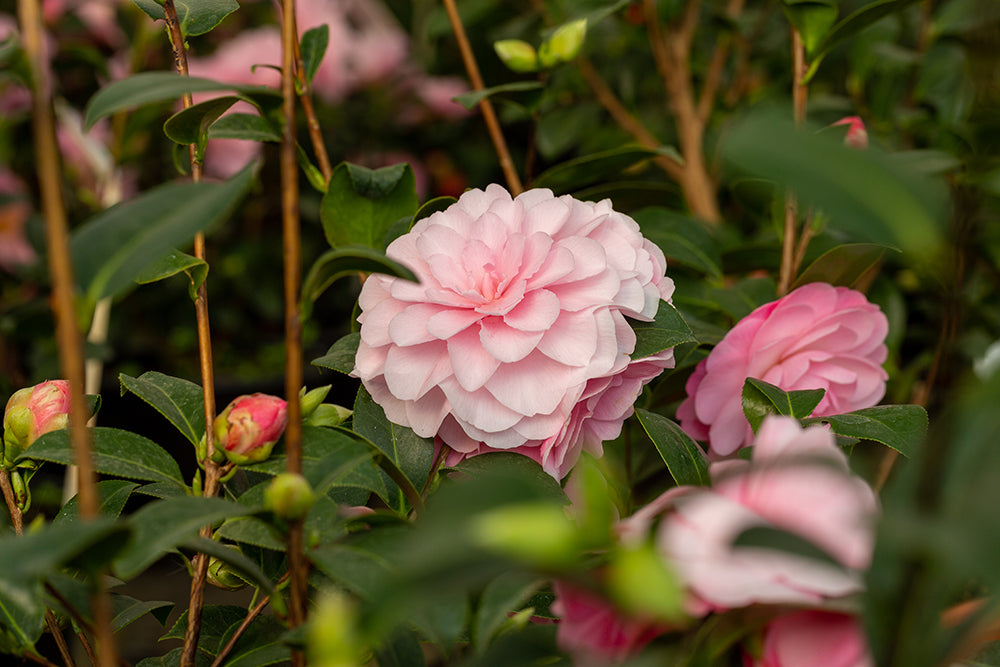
(293, 324)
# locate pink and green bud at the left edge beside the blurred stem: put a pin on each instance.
(31, 412)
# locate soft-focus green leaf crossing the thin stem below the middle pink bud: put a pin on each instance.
(163, 525)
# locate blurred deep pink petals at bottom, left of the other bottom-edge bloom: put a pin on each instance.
(594, 631)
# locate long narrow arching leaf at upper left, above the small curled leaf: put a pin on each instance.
(154, 87)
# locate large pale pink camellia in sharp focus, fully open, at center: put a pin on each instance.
(515, 338)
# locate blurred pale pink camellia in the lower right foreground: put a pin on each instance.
(798, 481)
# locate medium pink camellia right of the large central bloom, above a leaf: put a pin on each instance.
(816, 337)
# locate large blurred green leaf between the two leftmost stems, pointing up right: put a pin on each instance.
(114, 247)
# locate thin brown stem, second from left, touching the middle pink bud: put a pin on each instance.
(197, 597)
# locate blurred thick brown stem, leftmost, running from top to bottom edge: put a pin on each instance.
(68, 338)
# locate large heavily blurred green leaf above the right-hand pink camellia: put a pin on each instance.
(861, 192)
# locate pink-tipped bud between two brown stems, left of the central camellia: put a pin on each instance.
(249, 426)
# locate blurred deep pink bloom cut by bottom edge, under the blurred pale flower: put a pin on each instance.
(814, 638)
